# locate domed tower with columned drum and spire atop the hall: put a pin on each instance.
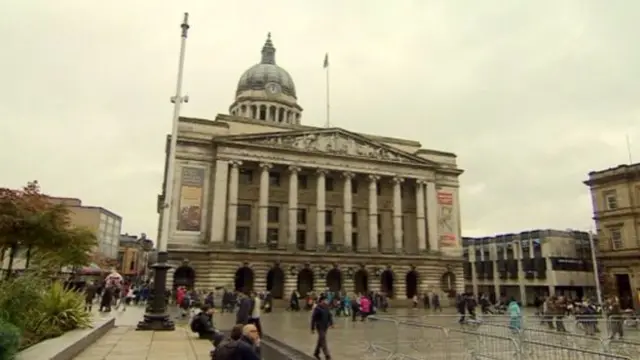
(266, 91)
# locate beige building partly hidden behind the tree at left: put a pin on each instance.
(106, 225)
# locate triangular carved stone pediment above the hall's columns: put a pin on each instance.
(333, 141)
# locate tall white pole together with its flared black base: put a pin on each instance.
(156, 317)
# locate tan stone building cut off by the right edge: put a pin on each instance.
(615, 193)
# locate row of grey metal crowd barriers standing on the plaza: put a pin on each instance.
(414, 338)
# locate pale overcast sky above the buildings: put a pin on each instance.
(531, 95)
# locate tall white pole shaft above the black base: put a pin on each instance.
(177, 101)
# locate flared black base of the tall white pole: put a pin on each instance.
(157, 317)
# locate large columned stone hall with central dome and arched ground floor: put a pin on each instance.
(263, 202)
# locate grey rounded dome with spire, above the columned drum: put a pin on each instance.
(267, 72)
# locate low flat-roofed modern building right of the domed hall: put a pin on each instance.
(529, 264)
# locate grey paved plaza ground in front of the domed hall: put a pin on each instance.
(355, 340)
